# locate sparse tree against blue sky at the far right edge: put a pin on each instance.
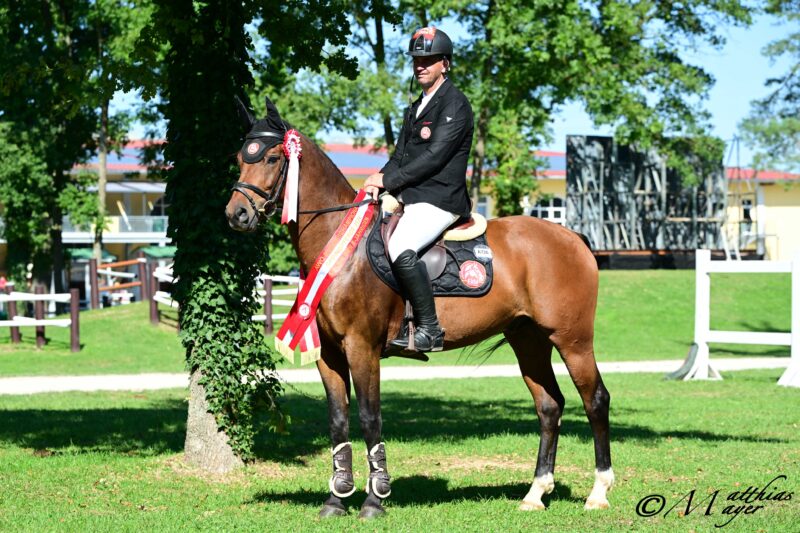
(773, 126)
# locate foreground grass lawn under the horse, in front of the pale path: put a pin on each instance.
(461, 454)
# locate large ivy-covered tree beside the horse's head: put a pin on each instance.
(205, 66)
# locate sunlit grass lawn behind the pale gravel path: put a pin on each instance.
(643, 314)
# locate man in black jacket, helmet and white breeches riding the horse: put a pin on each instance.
(427, 173)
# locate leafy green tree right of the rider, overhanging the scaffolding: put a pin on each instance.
(622, 60)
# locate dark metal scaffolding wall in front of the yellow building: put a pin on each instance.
(622, 199)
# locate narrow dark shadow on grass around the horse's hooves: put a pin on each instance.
(423, 490)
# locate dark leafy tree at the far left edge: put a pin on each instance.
(45, 53)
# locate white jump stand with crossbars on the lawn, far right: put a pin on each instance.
(701, 367)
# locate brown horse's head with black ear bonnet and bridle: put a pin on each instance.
(262, 166)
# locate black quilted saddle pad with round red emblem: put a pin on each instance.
(468, 271)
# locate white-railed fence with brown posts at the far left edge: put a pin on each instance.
(16, 321)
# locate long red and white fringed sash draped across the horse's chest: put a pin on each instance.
(328, 264)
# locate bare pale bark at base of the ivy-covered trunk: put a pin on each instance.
(206, 446)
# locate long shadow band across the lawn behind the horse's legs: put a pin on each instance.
(160, 428)
